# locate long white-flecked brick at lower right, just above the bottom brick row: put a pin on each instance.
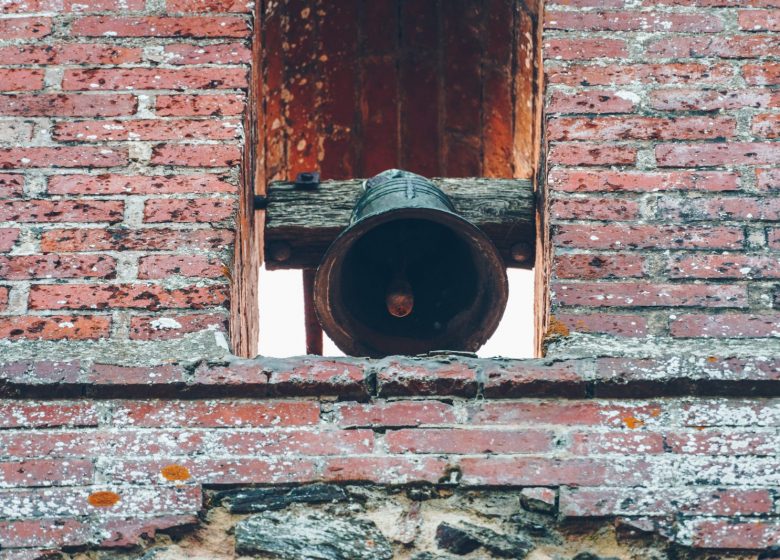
(603, 502)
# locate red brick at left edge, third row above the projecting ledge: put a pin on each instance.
(26, 267)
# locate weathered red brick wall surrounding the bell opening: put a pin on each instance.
(123, 415)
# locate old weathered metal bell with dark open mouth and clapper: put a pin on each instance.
(409, 275)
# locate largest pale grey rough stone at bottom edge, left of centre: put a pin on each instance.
(318, 536)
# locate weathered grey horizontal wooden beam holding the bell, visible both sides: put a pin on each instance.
(301, 224)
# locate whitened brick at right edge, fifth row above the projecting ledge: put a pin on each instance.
(743, 208)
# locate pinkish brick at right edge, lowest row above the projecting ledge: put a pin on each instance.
(730, 325)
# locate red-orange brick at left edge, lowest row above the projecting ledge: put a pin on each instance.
(57, 327)
